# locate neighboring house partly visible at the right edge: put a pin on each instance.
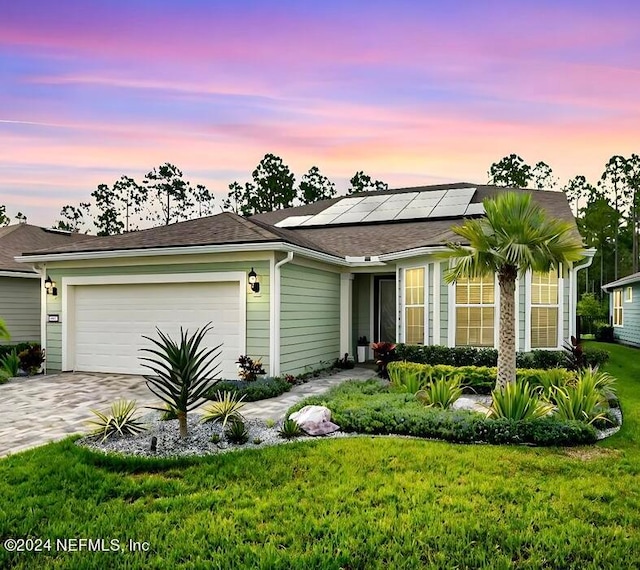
(624, 308)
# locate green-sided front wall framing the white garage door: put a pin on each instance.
(257, 326)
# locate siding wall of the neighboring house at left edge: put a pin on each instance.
(20, 308)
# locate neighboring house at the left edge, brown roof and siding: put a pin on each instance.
(20, 285)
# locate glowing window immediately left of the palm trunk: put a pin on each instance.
(475, 311)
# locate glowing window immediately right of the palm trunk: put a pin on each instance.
(544, 310)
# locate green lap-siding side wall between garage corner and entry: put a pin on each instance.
(309, 318)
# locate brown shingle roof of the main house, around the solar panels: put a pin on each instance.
(346, 240)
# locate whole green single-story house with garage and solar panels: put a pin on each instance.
(328, 273)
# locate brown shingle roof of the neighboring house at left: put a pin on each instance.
(18, 238)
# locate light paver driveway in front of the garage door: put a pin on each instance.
(40, 409)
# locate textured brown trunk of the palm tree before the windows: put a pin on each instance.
(507, 333)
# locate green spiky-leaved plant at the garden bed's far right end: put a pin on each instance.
(586, 399)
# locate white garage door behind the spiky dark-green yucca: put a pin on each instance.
(110, 320)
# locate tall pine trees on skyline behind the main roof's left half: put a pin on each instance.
(165, 197)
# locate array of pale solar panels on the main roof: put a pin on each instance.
(454, 202)
